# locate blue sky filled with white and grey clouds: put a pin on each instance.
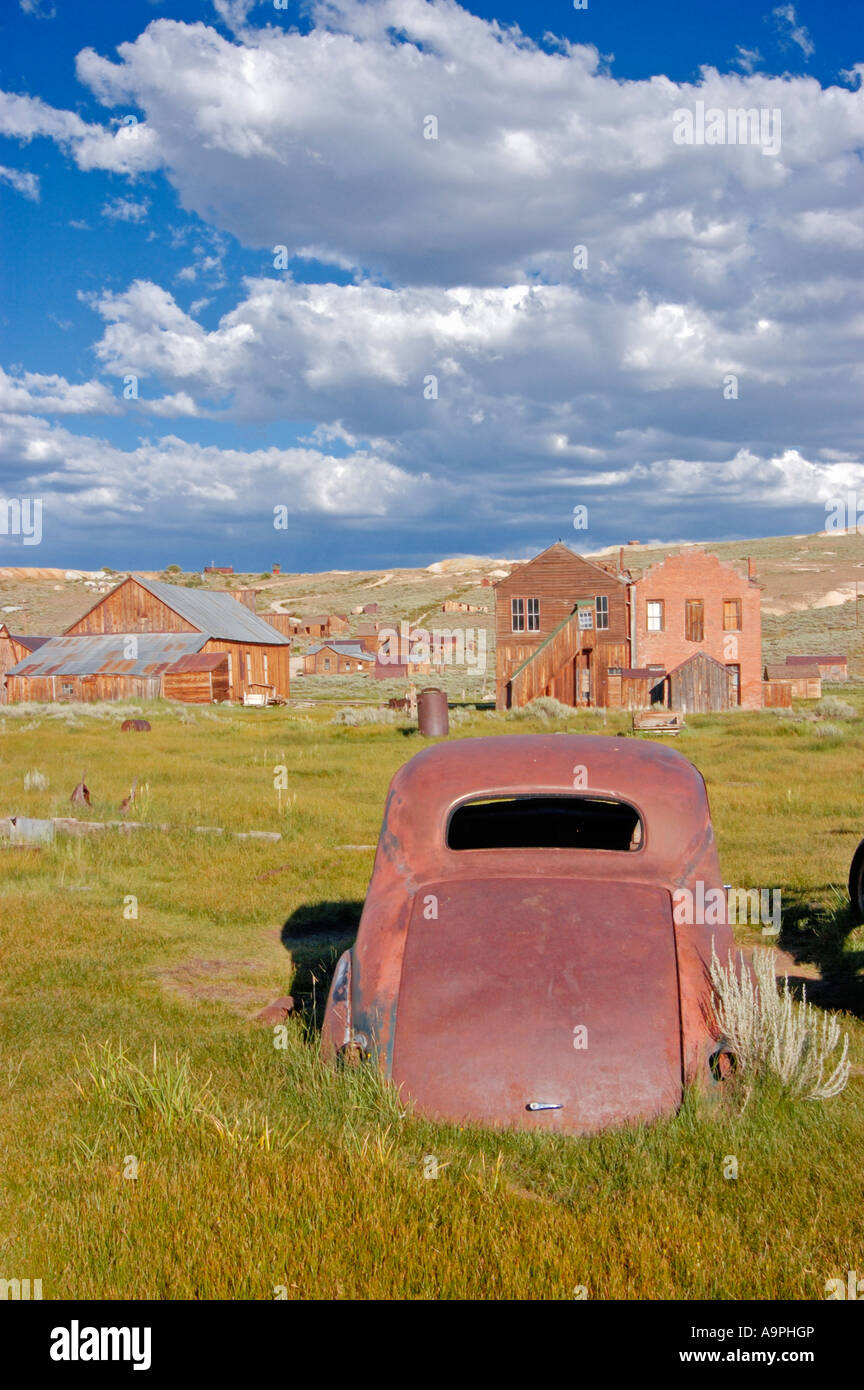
(423, 370)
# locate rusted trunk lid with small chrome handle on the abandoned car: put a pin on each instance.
(540, 992)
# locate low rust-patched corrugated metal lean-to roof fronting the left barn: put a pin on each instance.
(110, 655)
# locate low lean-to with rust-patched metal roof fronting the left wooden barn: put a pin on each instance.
(122, 667)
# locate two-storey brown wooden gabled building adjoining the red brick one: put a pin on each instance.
(562, 622)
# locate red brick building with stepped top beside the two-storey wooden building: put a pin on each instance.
(701, 604)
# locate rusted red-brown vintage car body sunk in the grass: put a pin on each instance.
(519, 963)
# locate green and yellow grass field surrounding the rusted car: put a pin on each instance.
(130, 1045)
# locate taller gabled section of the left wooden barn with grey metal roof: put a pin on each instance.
(258, 654)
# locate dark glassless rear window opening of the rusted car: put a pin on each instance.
(545, 824)
